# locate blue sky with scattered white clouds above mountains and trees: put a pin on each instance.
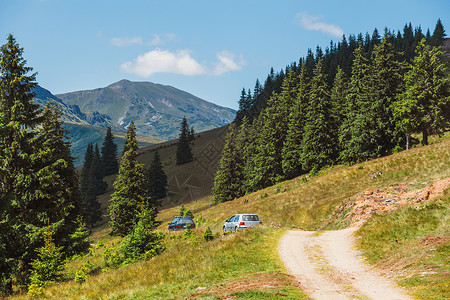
(211, 49)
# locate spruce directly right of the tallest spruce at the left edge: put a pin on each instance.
(59, 183)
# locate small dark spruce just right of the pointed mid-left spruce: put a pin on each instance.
(157, 179)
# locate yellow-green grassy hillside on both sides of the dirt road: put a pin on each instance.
(246, 265)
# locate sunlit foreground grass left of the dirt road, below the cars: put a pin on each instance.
(223, 267)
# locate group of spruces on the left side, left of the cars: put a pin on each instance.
(45, 203)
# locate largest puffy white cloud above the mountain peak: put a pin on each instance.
(163, 61)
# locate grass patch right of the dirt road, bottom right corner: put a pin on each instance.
(415, 242)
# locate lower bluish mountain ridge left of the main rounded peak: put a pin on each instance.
(85, 128)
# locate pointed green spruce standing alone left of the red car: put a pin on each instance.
(130, 189)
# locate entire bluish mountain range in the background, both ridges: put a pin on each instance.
(156, 110)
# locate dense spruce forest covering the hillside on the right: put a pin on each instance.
(358, 101)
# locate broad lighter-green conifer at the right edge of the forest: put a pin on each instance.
(424, 106)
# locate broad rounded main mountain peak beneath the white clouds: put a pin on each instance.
(157, 110)
